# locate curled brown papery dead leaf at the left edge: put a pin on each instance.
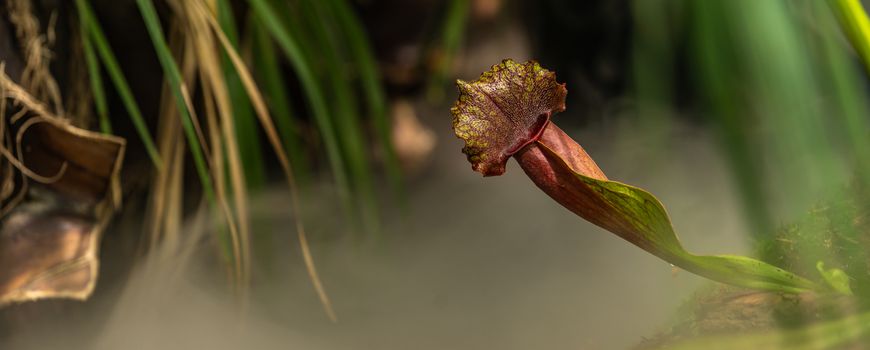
(67, 189)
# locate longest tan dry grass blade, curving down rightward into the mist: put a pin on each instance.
(271, 133)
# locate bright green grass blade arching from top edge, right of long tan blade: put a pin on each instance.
(311, 88)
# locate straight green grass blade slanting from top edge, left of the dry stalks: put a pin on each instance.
(114, 71)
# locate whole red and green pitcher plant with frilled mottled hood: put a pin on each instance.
(507, 113)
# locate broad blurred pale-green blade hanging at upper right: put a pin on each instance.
(780, 66)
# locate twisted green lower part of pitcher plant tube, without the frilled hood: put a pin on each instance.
(638, 217)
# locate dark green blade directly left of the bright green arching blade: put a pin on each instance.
(274, 88)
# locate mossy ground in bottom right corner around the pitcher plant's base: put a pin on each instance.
(836, 232)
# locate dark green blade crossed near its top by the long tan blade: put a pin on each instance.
(246, 125)
